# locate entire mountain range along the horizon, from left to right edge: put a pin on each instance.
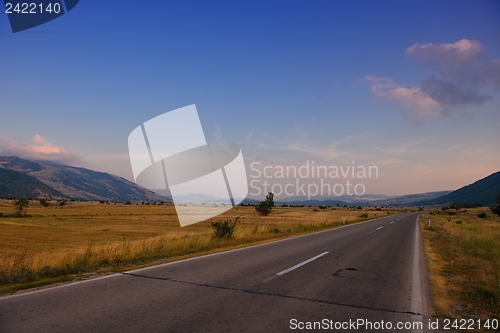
(21, 178)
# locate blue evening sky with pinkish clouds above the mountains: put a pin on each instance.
(410, 87)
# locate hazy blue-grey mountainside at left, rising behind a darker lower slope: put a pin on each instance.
(79, 183)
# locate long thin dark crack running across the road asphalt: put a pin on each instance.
(271, 294)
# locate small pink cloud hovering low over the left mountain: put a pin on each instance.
(40, 149)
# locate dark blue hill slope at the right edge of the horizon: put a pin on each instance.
(482, 192)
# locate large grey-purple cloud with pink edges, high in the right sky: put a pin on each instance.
(461, 76)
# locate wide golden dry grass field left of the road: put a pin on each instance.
(58, 243)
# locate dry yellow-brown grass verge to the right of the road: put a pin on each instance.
(463, 259)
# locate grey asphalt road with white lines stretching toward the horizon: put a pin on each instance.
(372, 271)
